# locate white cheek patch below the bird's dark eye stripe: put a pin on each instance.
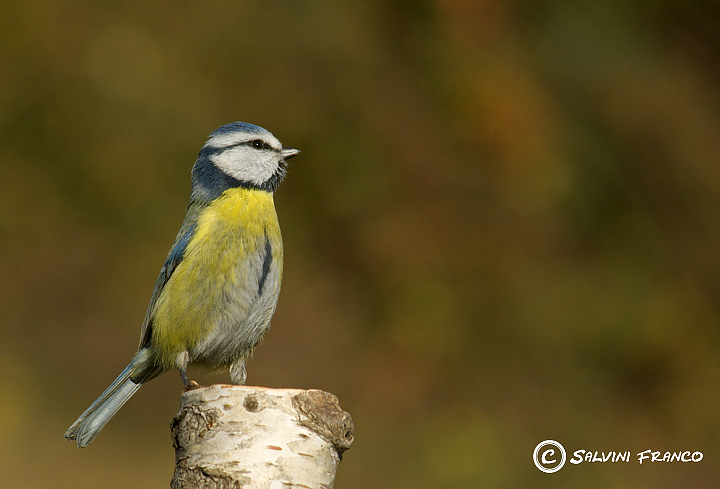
(246, 164)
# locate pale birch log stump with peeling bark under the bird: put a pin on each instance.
(228, 436)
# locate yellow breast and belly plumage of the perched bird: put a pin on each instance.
(218, 273)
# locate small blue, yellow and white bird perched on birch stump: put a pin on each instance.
(218, 287)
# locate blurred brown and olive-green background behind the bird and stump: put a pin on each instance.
(503, 227)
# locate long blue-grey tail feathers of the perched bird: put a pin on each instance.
(94, 419)
